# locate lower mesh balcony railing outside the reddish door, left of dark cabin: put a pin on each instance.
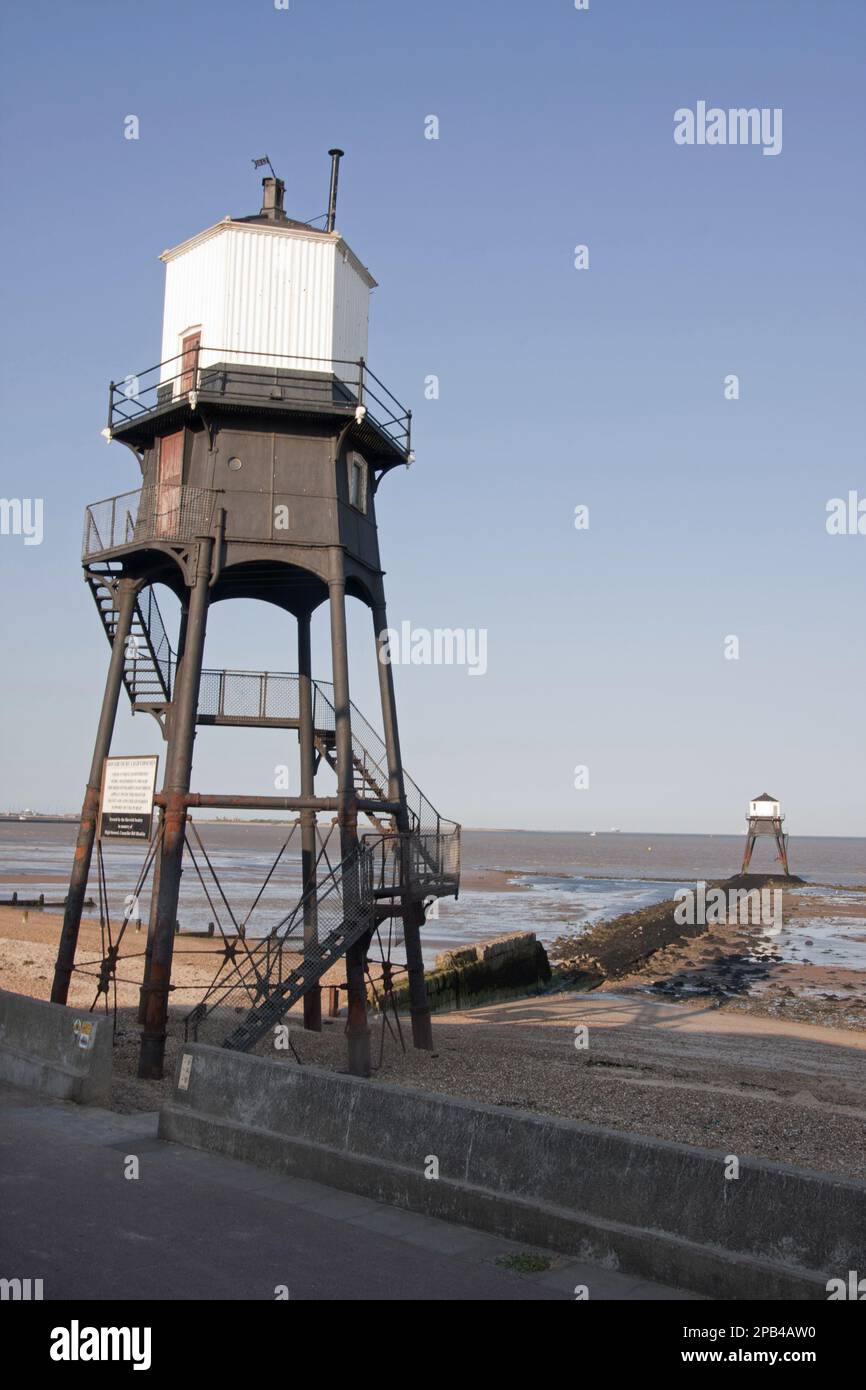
(166, 514)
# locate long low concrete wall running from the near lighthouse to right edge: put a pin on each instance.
(660, 1211)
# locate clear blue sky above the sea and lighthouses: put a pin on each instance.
(610, 648)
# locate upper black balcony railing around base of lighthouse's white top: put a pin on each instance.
(297, 382)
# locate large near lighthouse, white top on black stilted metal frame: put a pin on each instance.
(262, 439)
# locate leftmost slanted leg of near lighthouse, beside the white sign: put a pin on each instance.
(127, 591)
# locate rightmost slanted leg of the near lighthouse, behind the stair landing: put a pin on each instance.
(414, 910)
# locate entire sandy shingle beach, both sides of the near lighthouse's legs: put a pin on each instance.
(703, 1045)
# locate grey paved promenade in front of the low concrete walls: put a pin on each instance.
(202, 1227)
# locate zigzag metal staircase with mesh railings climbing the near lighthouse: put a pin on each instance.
(262, 979)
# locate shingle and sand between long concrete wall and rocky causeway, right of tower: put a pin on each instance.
(690, 1074)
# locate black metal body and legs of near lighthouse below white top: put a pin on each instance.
(259, 480)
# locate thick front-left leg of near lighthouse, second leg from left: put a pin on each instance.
(186, 708)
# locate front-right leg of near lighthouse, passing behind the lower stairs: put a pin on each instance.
(358, 1031)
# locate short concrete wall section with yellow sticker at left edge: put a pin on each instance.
(54, 1050)
